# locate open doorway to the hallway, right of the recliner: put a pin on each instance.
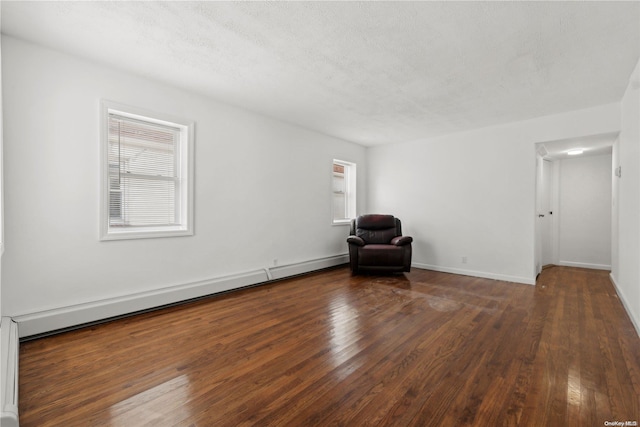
(573, 202)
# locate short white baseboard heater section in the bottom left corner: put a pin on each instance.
(9, 376)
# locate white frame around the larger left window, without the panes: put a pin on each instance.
(184, 163)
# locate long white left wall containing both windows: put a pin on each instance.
(262, 188)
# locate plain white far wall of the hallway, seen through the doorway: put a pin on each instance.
(584, 212)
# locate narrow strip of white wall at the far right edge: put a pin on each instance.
(626, 268)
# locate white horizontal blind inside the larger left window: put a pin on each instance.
(143, 173)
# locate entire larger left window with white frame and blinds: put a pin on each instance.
(147, 163)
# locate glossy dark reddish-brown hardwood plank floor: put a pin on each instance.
(420, 349)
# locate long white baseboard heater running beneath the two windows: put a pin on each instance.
(71, 316)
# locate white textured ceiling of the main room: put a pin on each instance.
(368, 72)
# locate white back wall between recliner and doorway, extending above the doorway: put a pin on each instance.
(472, 194)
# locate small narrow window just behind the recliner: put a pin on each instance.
(344, 191)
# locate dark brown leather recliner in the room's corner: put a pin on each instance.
(376, 243)
